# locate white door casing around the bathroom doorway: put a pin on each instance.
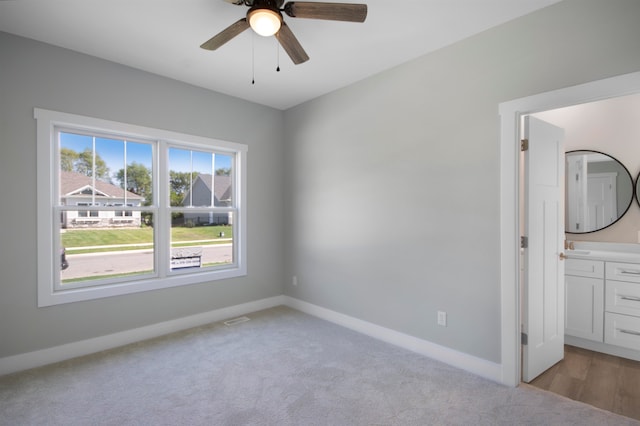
(510, 116)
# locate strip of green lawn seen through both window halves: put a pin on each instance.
(105, 237)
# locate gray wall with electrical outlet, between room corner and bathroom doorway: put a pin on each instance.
(393, 182)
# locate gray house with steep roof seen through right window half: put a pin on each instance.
(201, 195)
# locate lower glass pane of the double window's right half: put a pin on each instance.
(196, 244)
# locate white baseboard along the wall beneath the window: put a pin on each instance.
(12, 364)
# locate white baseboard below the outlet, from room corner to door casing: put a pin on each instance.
(477, 366)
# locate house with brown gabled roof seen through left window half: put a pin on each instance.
(78, 190)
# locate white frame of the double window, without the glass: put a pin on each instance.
(48, 254)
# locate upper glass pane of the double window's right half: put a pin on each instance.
(200, 179)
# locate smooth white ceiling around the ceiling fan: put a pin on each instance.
(163, 37)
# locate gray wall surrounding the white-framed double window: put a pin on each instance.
(32, 75)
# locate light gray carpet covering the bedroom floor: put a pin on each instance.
(282, 367)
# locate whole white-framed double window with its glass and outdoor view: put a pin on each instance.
(136, 208)
